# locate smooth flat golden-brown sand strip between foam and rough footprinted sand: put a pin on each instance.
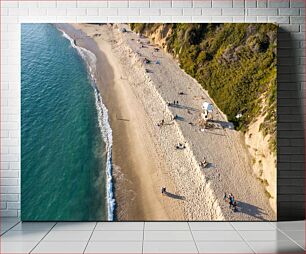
(137, 170)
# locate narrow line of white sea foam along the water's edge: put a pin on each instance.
(106, 131)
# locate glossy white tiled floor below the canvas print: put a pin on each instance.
(152, 237)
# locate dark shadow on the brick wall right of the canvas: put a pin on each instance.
(290, 130)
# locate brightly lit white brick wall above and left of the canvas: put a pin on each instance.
(289, 13)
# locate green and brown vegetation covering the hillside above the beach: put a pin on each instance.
(235, 63)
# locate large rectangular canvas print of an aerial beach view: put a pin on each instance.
(148, 122)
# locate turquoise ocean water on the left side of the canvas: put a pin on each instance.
(64, 155)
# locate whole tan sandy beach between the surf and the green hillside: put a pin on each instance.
(144, 155)
